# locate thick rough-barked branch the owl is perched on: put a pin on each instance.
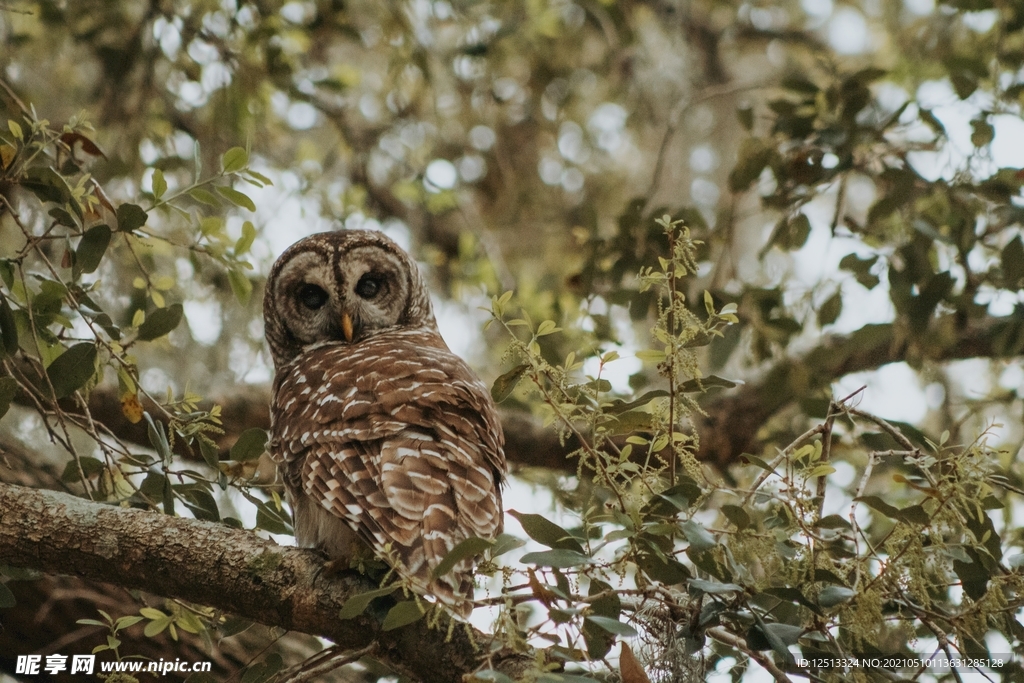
(226, 569)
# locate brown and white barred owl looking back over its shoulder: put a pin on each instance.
(385, 439)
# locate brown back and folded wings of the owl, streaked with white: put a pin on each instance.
(397, 437)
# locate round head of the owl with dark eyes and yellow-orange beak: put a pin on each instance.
(343, 287)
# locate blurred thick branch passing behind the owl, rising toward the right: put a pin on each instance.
(733, 420)
